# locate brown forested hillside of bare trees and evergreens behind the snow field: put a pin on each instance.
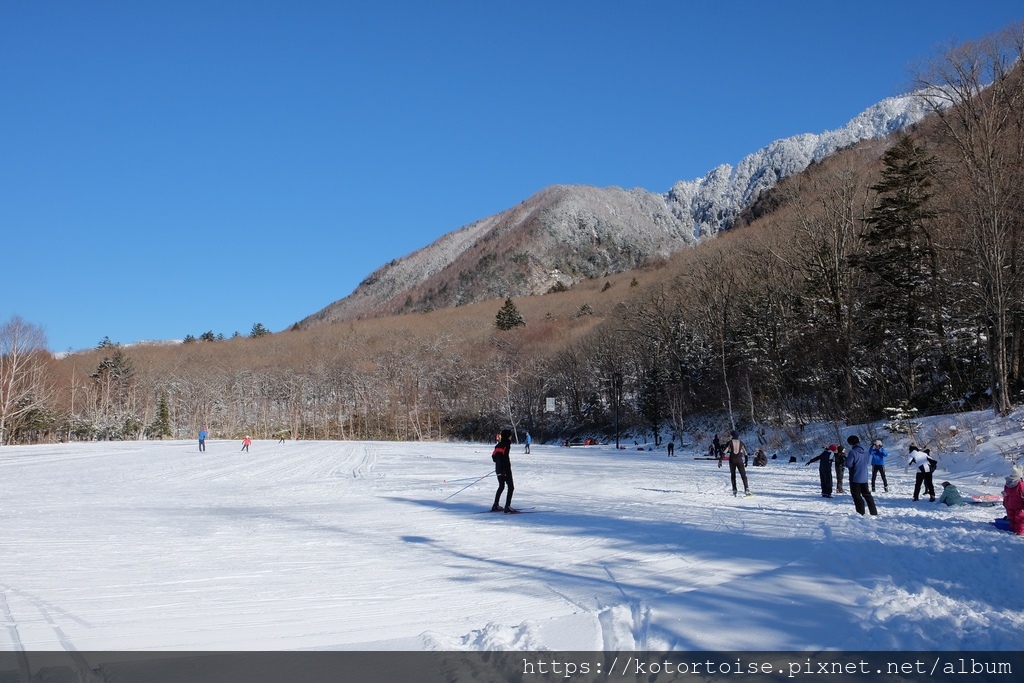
(888, 275)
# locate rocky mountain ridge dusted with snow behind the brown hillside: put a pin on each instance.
(569, 233)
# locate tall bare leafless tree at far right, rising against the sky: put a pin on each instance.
(975, 92)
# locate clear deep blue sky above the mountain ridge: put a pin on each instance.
(177, 167)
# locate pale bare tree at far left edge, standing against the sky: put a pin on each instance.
(24, 388)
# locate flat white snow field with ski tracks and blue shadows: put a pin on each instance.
(328, 545)
